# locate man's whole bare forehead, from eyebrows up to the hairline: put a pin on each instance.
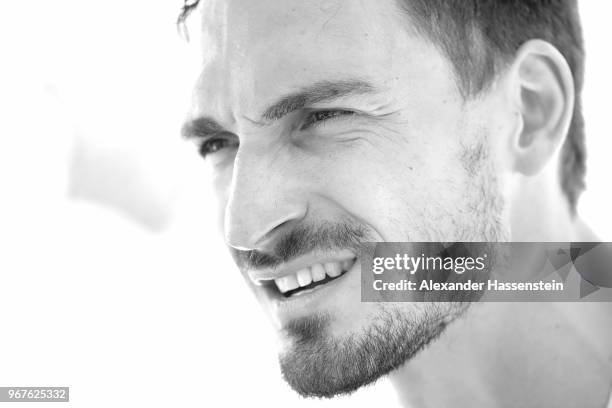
(254, 51)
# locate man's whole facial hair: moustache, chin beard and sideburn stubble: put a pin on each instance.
(317, 363)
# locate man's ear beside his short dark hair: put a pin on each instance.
(542, 92)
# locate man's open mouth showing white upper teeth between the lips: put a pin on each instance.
(310, 278)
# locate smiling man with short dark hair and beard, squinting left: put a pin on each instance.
(328, 123)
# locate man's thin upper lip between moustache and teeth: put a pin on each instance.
(292, 267)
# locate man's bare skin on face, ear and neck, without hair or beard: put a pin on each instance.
(414, 161)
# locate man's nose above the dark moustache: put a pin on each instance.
(264, 200)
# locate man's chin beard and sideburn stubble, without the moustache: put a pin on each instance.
(317, 364)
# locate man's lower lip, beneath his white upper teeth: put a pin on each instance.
(304, 302)
